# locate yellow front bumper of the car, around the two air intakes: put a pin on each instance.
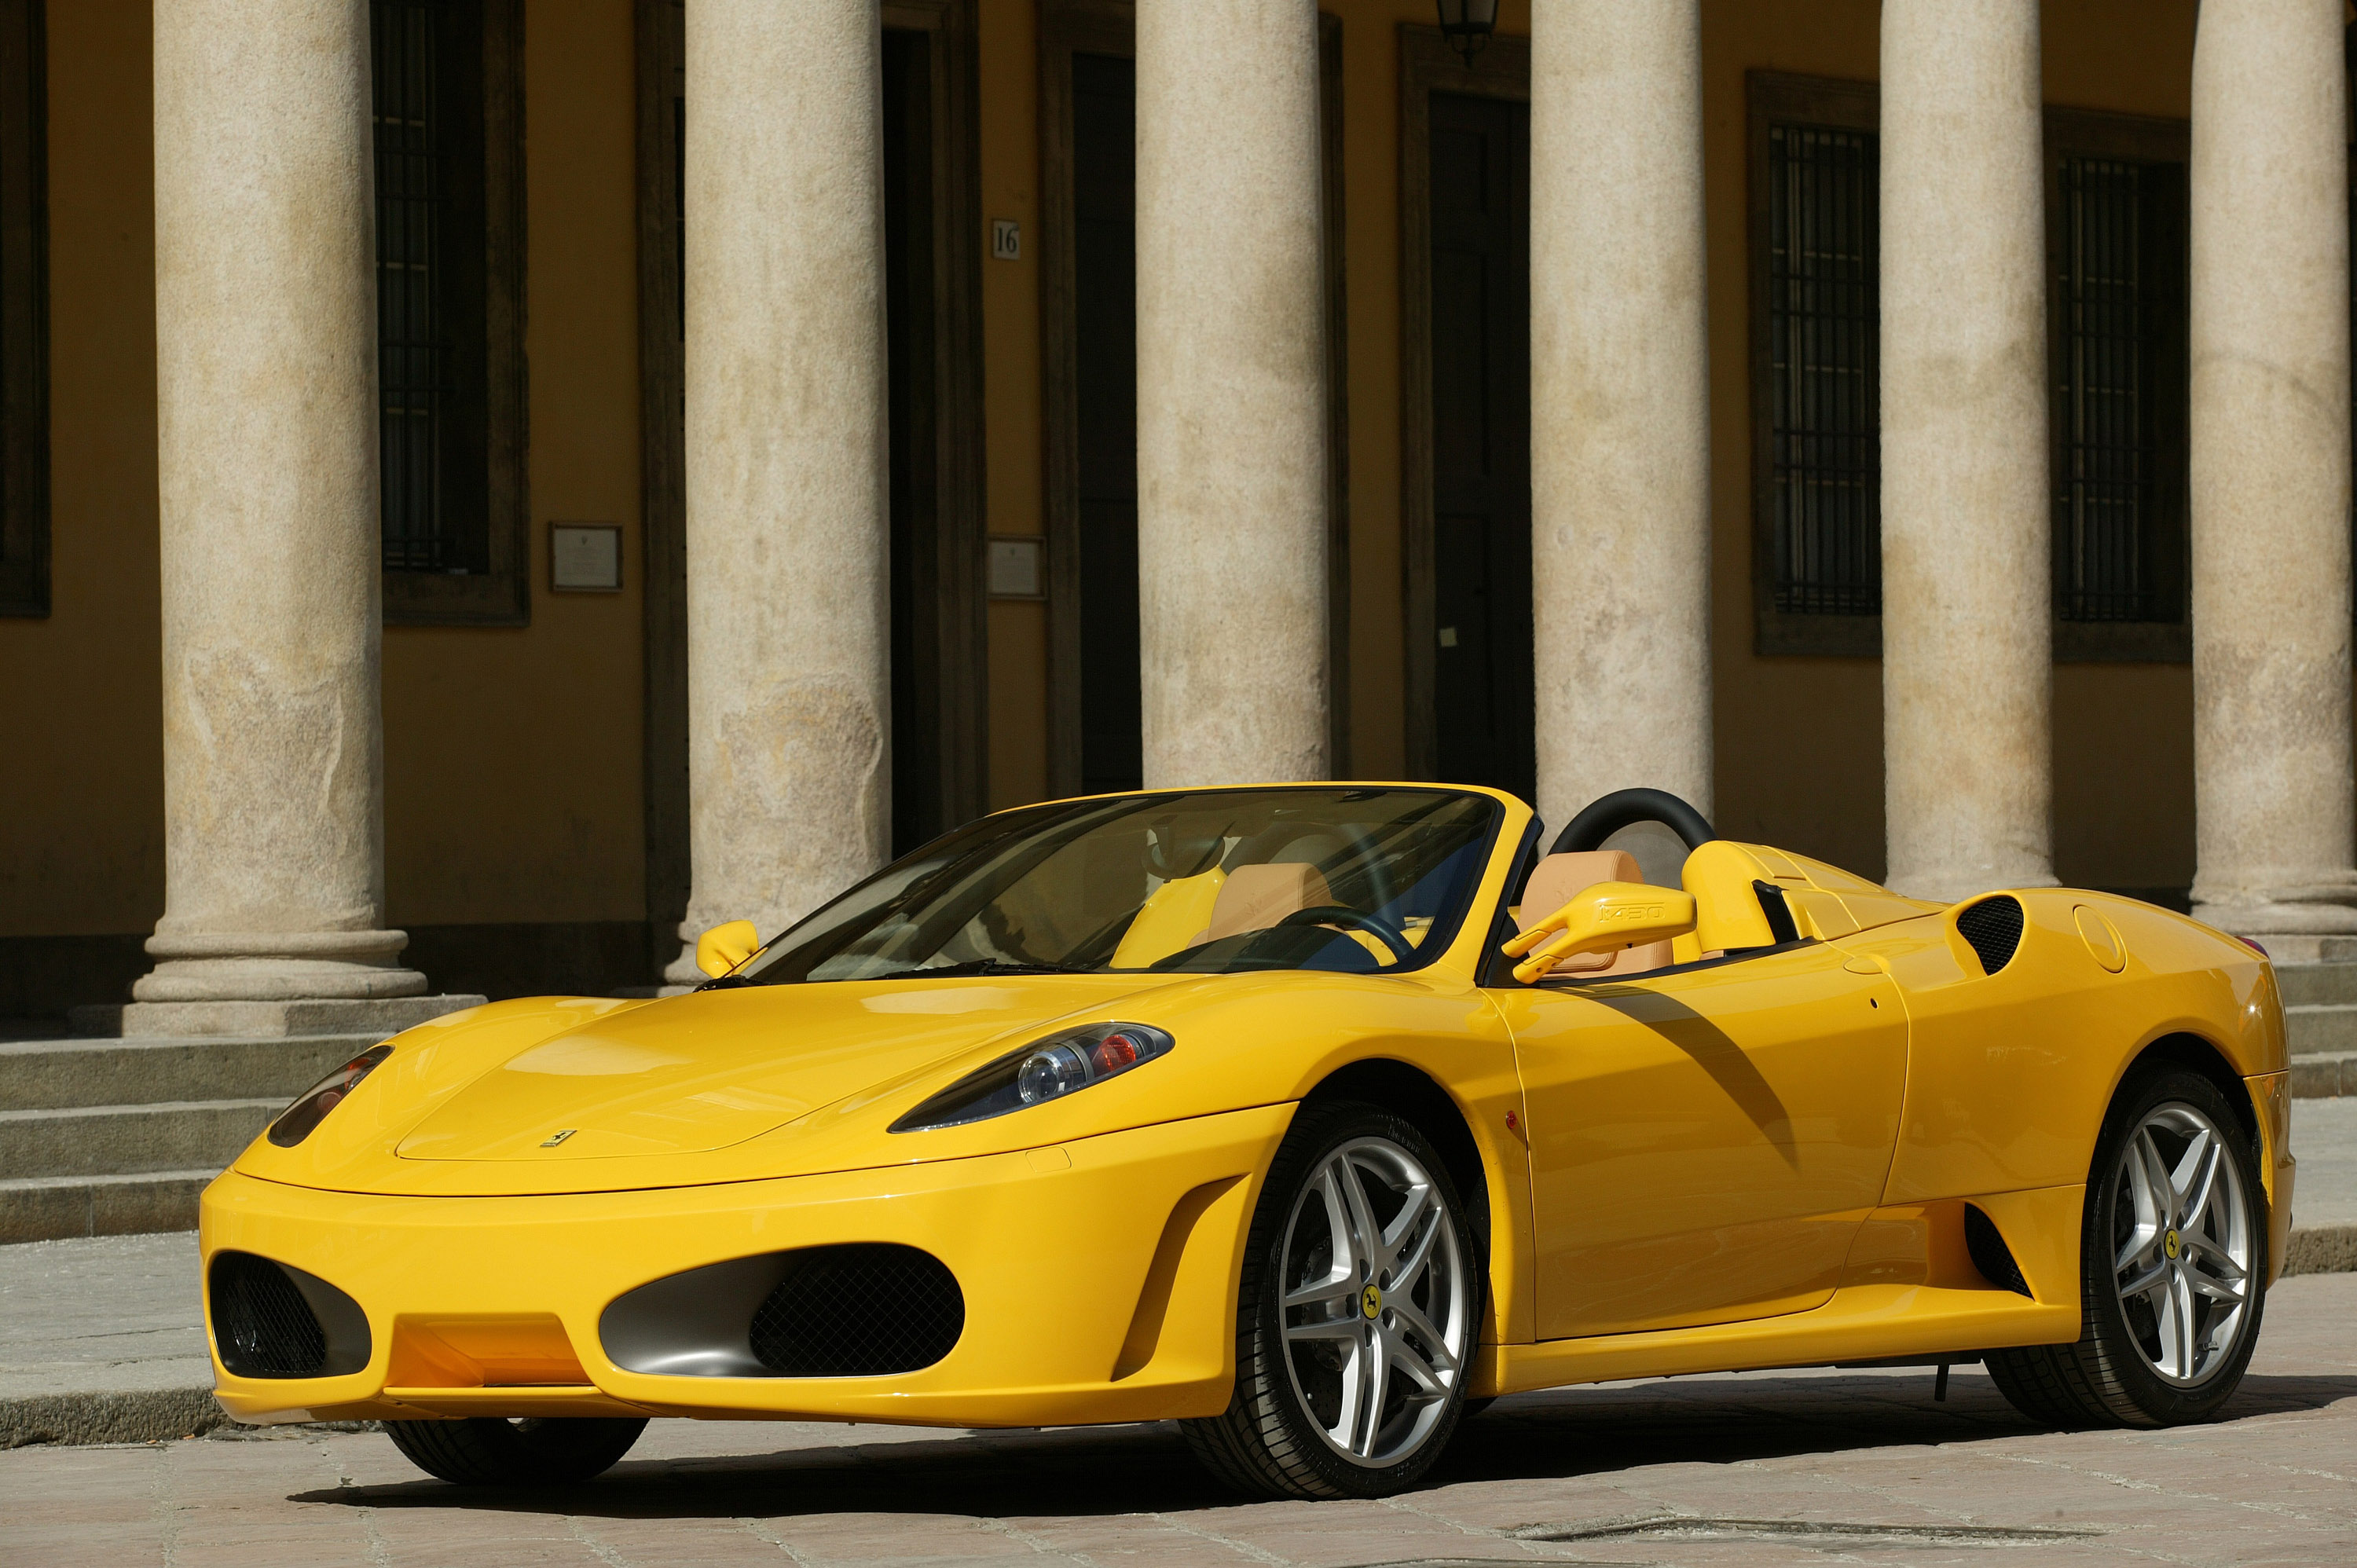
(1100, 1284)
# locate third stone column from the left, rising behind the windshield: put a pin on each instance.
(1232, 395)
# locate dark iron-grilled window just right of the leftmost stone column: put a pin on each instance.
(449, 308)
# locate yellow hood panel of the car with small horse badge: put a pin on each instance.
(713, 1069)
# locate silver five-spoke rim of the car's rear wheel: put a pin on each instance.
(2184, 1244)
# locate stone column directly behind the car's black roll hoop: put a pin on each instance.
(1620, 444)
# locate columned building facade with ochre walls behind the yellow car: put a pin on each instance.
(496, 485)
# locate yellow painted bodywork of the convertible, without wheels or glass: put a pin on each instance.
(1760, 1159)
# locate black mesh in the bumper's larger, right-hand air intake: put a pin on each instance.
(859, 1312)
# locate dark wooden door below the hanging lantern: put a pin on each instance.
(1481, 442)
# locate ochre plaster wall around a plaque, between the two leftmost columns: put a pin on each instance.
(513, 758)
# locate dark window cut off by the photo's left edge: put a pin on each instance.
(25, 315)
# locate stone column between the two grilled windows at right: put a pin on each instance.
(1967, 572)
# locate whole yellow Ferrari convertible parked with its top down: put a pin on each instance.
(1309, 1116)
